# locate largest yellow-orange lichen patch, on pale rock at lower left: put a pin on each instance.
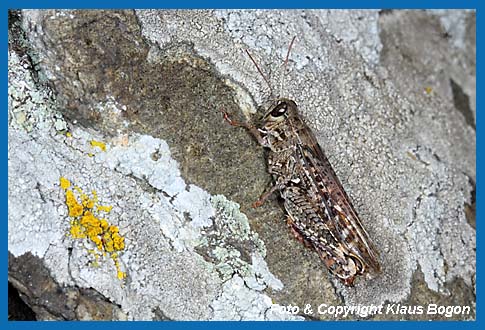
(87, 224)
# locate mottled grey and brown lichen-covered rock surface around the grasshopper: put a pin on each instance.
(390, 96)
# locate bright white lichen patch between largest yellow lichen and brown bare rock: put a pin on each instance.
(181, 210)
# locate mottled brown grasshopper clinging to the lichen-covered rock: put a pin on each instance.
(320, 213)
